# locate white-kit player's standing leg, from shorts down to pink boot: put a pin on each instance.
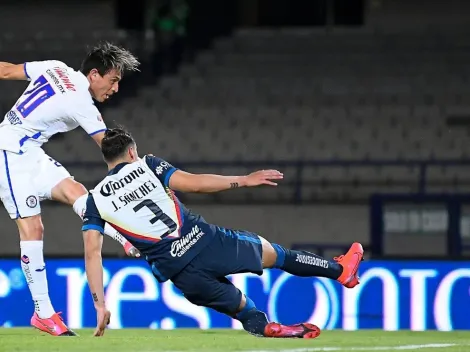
(21, 178)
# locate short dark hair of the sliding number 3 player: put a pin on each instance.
(115, 143)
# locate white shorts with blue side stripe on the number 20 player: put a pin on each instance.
(26, 179)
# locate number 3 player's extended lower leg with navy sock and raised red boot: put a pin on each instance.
(303, 263)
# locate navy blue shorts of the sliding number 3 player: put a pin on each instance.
(203, 281)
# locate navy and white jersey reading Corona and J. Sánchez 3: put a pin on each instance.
(136, 200)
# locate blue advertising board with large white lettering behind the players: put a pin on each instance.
(392, 296)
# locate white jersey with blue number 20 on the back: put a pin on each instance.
(56, 100)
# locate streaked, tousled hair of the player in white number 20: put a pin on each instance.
(106, 56)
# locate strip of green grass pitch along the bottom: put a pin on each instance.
(143, 340)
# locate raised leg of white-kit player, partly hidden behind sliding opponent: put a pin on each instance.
(73, 193)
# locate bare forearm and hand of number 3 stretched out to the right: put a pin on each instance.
(207, 183)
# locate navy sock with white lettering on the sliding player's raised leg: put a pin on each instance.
(303, 263)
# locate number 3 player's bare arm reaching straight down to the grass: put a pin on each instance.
(93, 242)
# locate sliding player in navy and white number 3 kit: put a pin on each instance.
(137, 199)
